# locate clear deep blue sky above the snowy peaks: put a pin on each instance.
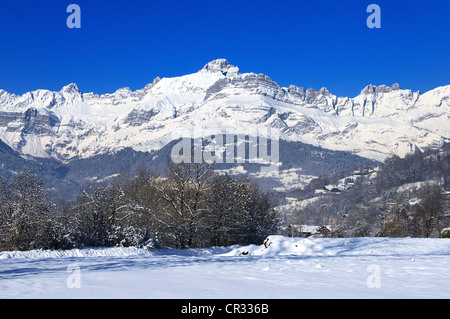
(306, 43)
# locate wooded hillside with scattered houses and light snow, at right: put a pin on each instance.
(403, 197)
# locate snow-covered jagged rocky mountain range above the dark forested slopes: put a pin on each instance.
(68, 124)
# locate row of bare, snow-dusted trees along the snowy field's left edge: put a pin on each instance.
(188, 208)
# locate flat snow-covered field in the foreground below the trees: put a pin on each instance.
(280, 268)
